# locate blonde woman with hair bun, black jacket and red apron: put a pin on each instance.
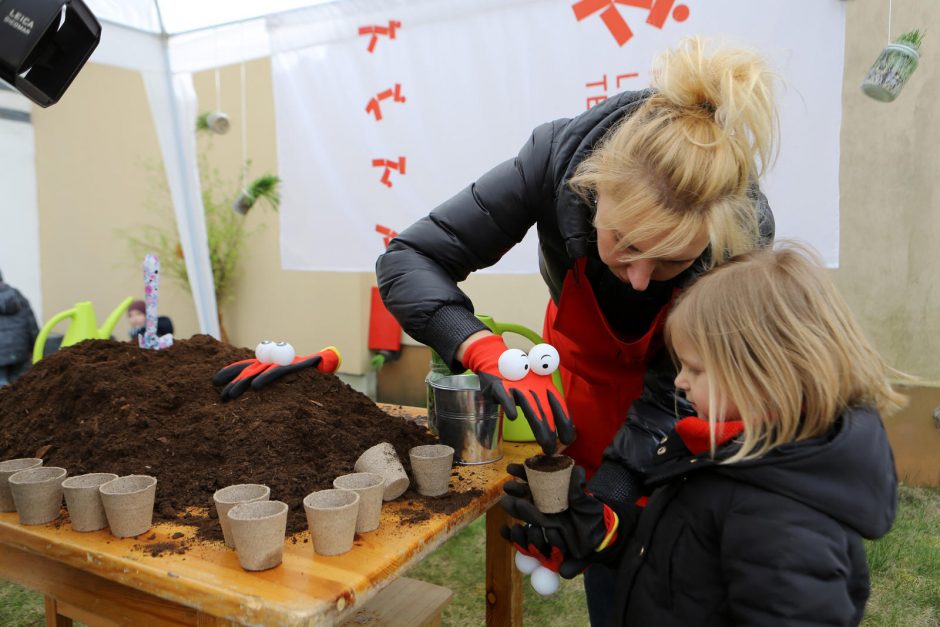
(631, 199)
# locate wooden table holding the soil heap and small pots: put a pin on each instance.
(99, 579)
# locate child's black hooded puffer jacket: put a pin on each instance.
(774, 541)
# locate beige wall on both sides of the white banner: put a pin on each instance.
(91, 149)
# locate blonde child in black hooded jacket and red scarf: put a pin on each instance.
(758, 505)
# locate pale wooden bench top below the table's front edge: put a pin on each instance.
(405, 602)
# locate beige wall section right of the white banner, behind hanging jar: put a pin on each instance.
(890, 207)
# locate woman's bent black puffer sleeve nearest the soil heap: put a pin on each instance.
(419, 271)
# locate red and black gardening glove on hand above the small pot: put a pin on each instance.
(543, 407)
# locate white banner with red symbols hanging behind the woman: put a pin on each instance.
(386, 108)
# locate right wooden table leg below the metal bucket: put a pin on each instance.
(503, 579)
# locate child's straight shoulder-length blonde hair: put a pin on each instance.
(778, 341)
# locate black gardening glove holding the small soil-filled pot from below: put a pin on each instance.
(584, 533)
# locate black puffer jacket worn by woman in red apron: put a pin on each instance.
(419, 272)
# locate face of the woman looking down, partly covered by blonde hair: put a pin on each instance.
(640, 272)
